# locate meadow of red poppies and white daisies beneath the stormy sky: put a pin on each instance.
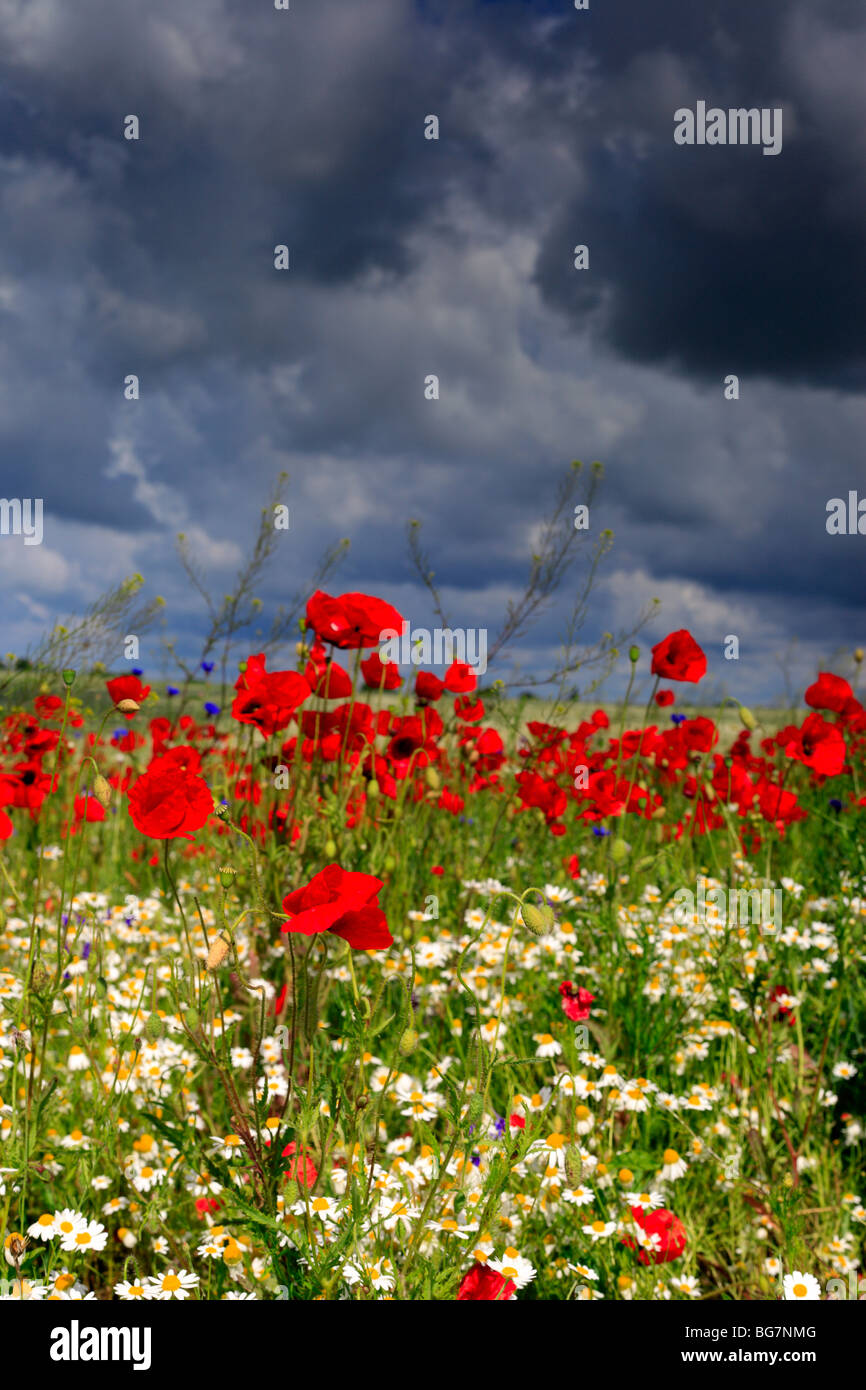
(348, 982)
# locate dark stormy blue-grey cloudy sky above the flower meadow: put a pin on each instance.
(451, 256)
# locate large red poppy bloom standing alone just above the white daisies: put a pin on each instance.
(347, 904)
